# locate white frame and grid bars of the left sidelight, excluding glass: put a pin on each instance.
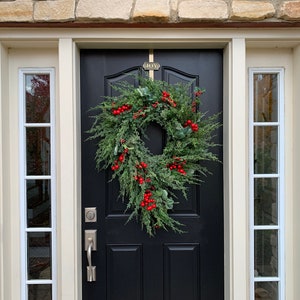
(52, 177)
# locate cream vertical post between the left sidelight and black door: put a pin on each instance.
(69, 170)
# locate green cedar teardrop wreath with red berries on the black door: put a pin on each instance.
(148, 182)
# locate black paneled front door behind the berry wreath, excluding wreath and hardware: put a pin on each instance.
(129, 264)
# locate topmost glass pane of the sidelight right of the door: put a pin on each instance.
(265, 98)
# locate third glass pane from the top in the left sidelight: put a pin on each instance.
(38, 203)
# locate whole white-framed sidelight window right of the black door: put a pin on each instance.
(266, 183)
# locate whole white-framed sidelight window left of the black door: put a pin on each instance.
(37, 186)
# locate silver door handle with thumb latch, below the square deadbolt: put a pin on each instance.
(90, 245)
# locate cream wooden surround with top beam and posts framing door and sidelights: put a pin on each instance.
(66, 43)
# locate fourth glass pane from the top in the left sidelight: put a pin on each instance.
(39, 255)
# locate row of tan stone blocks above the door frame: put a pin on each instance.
(150, 11)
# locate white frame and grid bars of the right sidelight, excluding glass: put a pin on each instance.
(281, 182)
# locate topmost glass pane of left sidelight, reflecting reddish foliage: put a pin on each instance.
(37, 98)
